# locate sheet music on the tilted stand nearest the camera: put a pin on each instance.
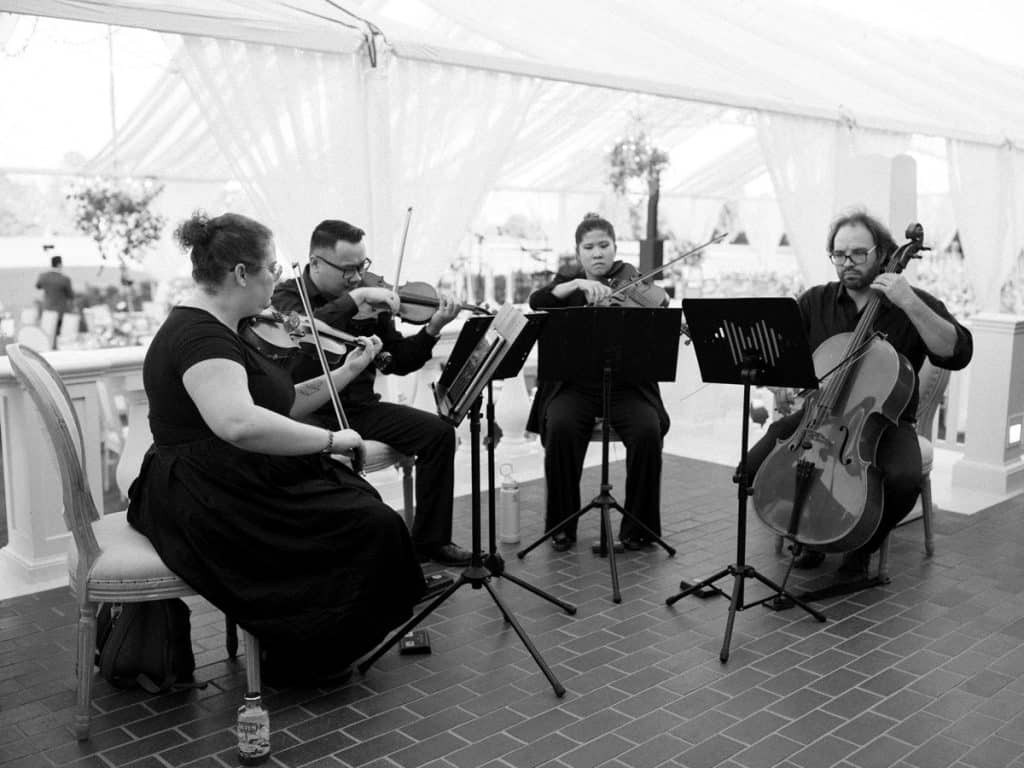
(470, 377)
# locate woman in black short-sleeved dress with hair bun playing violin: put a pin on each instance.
(243, 501)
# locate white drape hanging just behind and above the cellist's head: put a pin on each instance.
(801, 156)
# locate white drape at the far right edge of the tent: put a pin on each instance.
(987, 187)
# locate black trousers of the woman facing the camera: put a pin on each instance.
(569, 426)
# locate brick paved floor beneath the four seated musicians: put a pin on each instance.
(925, 673)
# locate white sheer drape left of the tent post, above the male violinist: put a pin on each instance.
(290, 123)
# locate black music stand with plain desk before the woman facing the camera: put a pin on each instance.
(611, 346)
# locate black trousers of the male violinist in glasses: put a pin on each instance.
(433, 442)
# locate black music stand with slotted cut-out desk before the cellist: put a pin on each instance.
(754, 343)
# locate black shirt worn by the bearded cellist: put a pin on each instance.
(829, 310)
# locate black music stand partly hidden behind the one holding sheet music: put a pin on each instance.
(474, 330)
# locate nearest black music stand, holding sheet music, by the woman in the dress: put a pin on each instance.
(460, 399)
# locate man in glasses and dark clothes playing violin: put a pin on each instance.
(334, 279)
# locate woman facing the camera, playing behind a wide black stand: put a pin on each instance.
(564, 413)
